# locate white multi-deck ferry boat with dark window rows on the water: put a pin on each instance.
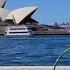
(17, 30)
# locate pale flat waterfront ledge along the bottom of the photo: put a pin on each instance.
(34, 68)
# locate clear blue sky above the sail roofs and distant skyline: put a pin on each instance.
(49, 11)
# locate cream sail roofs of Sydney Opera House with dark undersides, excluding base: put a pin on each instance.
(17, 16)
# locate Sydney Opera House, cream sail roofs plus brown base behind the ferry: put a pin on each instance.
(21, 16)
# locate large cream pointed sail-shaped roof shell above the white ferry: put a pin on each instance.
(20, 14)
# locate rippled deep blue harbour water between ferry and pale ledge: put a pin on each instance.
(34, 51)
